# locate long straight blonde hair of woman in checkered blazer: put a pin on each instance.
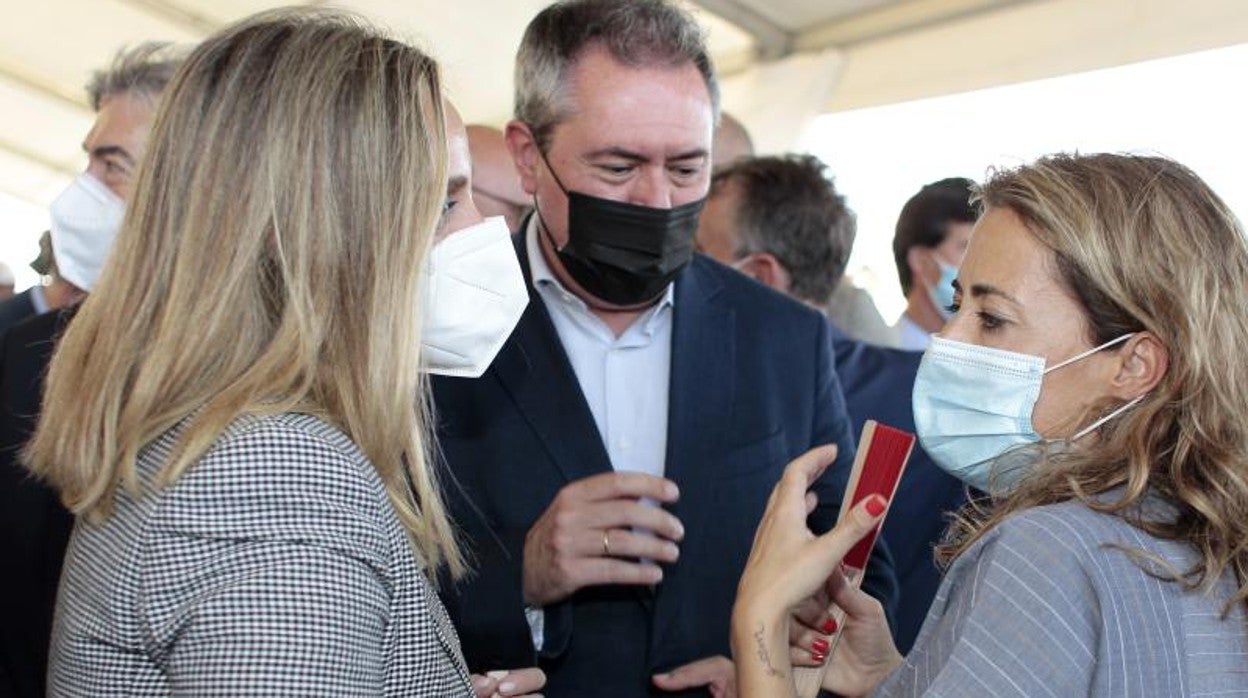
(269, 263)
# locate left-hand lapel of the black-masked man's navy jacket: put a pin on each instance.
(535, 370)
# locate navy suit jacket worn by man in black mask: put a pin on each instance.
(753, 385)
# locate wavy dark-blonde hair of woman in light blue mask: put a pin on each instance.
(1145, 245)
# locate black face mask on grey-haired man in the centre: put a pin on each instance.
(622, 253)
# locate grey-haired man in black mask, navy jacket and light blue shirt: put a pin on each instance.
(612, 465)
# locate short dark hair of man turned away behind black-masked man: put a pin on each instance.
(789, 208)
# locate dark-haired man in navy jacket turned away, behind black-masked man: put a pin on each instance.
(782, 222)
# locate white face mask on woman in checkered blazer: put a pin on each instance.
(475, 297)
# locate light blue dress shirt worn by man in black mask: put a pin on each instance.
(625, 379)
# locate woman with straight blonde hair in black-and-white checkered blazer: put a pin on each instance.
(235, 414)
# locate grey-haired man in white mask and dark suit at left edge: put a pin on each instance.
(85, 220)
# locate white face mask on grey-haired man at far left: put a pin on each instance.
(87, 218)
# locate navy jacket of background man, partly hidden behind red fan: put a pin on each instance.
(878, 385)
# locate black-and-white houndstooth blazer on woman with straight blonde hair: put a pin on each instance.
(275, 566)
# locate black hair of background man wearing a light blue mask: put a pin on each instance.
(925, 219)
